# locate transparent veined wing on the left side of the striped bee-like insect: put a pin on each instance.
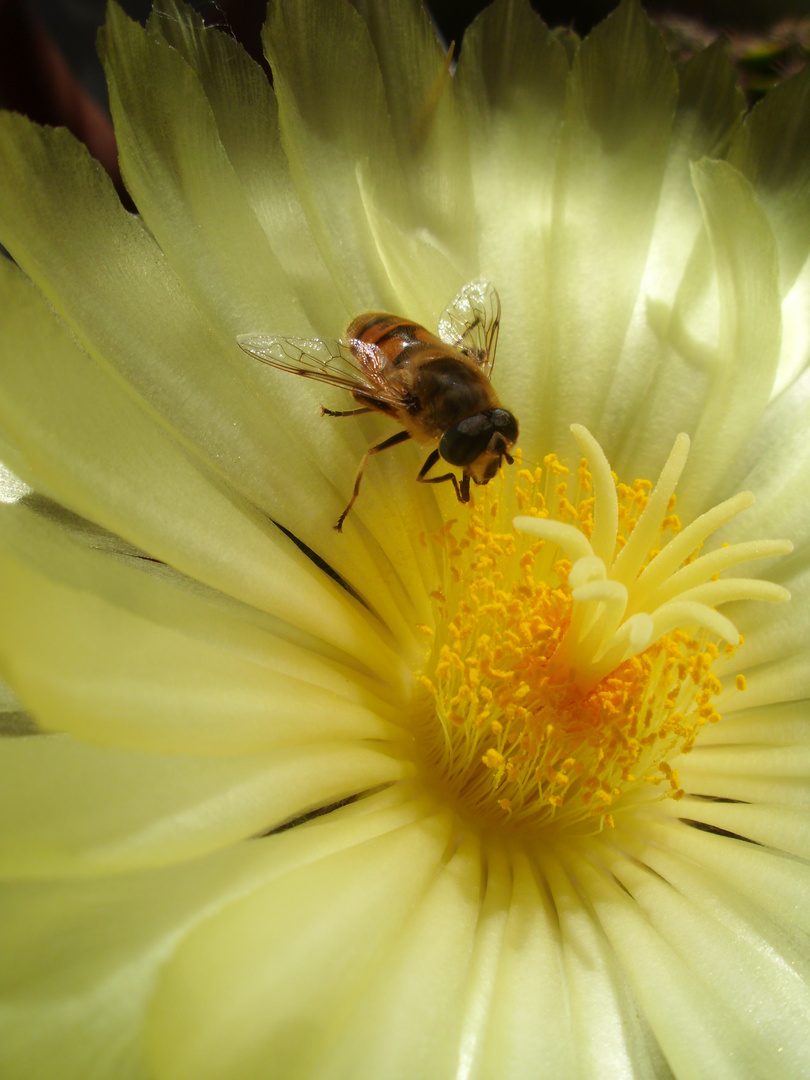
(353, 366)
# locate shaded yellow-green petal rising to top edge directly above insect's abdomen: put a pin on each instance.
(327, 78)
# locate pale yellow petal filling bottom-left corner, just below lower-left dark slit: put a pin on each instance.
(80, 960)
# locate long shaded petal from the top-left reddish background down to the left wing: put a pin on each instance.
(182, 181)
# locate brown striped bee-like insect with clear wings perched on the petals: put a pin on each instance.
(437, 388)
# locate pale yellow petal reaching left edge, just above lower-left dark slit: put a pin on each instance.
(67, 809)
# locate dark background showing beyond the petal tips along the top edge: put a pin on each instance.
(49, 69)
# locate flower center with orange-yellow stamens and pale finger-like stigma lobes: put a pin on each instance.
(575, 644)
